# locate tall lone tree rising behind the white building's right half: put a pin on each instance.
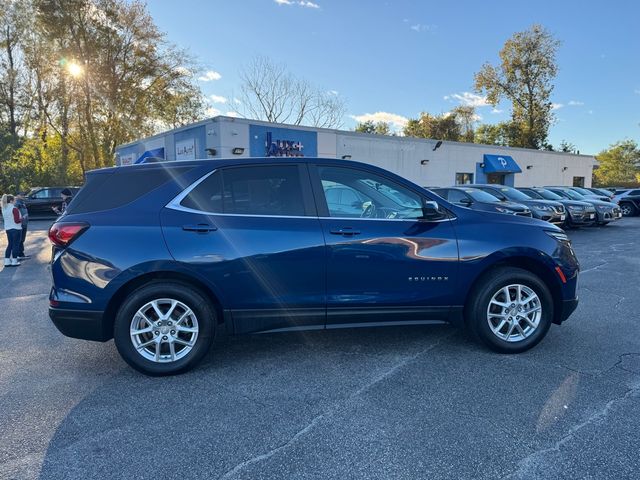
(524, 77)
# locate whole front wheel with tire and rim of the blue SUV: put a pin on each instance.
(510, 310)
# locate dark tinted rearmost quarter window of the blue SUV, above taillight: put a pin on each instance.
(104, 191)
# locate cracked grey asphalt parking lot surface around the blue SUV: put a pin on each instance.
(419, 402)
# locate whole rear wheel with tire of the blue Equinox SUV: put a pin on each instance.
(164, 328)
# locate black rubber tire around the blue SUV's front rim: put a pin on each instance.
(478, 303)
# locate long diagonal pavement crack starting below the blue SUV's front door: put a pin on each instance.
(331, 411)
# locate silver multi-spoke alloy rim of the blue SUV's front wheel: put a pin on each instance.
(514, 313)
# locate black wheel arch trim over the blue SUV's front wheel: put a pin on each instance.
(535, 266)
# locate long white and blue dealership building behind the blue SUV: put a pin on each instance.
(424, 161)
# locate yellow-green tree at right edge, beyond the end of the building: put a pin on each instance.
(619, 164)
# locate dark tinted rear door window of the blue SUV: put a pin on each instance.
(257, 190)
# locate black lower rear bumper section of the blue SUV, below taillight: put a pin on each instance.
(83, 324)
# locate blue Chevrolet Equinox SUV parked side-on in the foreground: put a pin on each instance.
(164, 257)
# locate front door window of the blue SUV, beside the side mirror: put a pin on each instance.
(373, 196)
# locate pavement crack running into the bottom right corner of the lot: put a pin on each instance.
(538, 457)
